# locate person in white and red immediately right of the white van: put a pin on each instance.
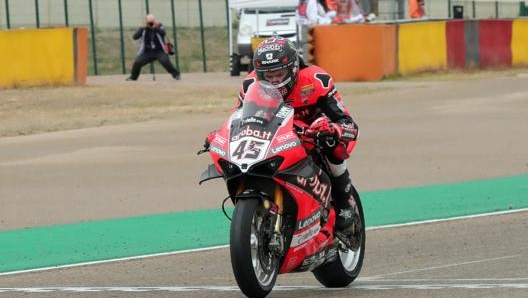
(314, 12)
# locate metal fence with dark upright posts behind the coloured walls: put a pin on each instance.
(198, 27)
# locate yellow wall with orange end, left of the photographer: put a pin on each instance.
(53, 56)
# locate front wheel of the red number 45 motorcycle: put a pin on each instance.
(254, 266)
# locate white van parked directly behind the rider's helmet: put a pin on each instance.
(260, 23)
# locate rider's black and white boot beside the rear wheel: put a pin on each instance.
(347, 213)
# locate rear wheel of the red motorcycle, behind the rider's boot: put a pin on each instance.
(345, 269)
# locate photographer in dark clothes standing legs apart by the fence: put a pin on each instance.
(152, 48)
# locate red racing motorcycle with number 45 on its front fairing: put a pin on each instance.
(283, 219)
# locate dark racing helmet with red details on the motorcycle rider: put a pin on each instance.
(276, 53)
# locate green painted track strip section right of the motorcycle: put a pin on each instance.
(405, 205)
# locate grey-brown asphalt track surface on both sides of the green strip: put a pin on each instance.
(412, 134)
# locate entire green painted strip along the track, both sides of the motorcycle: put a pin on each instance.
(119, 238)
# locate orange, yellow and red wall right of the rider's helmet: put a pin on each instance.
(352, 52)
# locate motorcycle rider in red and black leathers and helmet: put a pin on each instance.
(311, 92)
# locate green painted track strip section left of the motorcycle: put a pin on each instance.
(103, 240)
